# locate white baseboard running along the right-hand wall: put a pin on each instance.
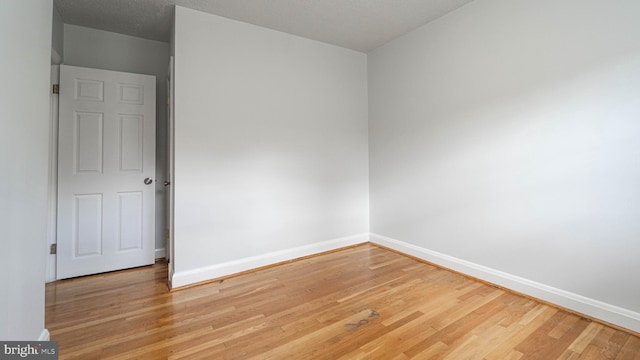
(594, 308)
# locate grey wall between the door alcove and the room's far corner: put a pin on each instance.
(270, 143)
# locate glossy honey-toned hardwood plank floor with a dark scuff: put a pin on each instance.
(359, 303)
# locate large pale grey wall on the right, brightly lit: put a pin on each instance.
(506, 135)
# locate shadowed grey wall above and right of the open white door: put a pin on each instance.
(110, 51)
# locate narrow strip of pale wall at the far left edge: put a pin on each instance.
(25, 33)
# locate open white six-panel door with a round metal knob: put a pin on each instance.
(106, 169)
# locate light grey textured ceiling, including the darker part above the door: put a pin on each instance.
(361, 25)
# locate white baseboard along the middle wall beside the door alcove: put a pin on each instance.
(183, 278)
